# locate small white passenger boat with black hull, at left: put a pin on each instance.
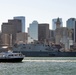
(11, 57)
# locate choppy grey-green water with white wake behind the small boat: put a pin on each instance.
(41, 66)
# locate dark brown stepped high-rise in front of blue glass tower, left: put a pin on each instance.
(12, 27)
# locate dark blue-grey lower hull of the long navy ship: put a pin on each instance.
(48, 54)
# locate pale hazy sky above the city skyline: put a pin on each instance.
(41, 10)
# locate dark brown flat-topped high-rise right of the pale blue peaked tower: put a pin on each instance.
(43, 32)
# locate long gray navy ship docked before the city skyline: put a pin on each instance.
(41, 50)
